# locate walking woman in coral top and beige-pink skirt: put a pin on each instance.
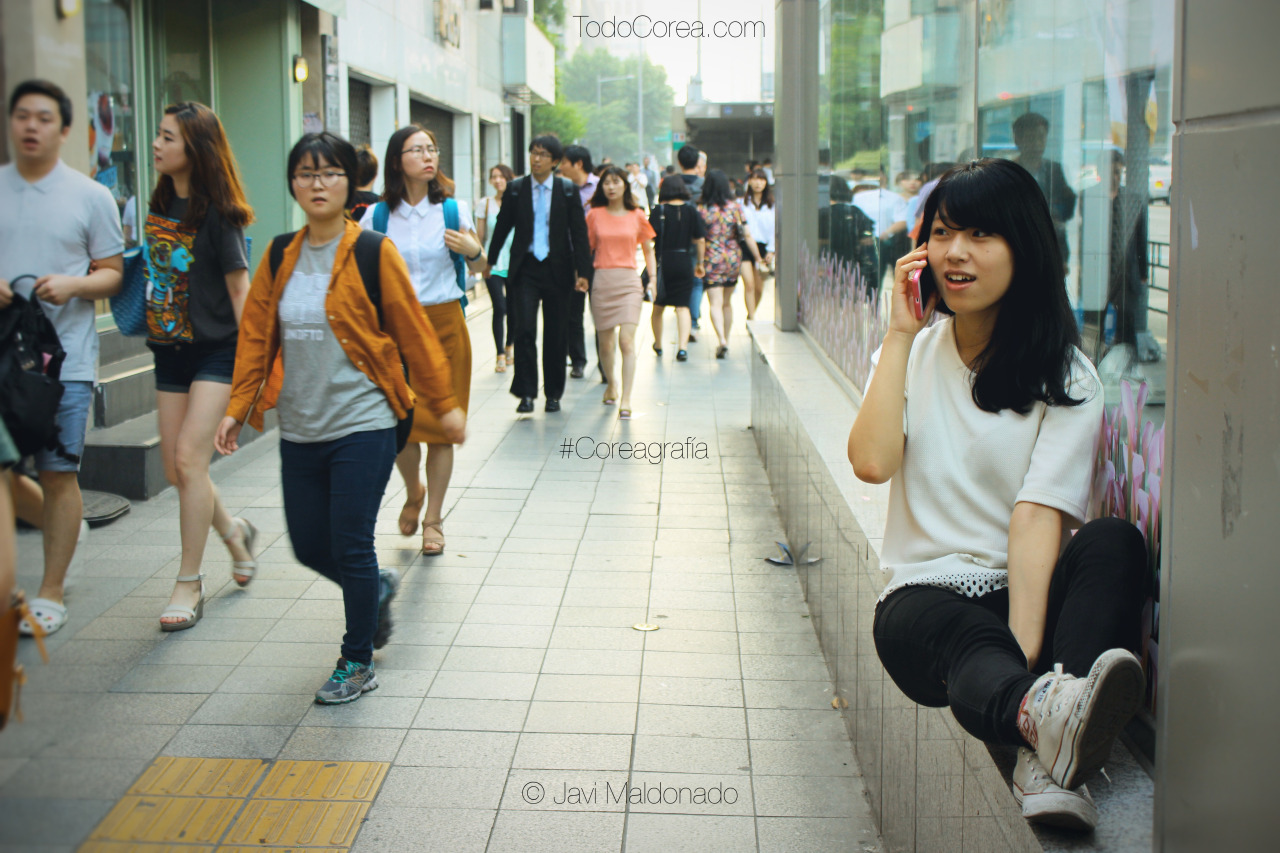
(615, 229)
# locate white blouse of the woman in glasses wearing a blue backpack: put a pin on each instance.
(419, 235)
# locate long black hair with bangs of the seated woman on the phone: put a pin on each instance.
(1034, 345)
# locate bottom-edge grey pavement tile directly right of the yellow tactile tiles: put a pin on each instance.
(459, 831)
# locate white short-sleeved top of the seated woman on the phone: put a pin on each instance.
(964, 469)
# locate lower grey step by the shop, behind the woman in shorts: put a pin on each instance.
(126, 459)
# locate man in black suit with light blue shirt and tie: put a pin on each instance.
(550, 245)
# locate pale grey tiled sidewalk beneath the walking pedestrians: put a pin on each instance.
(514, 669)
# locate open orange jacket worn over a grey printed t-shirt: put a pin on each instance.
(354, 320)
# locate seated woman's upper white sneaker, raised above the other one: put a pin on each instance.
(1072, 723)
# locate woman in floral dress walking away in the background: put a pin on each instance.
(726, 234)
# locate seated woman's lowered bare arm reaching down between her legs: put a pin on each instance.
(1035, 541)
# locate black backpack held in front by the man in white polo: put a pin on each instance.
(31, 363)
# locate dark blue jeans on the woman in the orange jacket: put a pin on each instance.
(332, 494)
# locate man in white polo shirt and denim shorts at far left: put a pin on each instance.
(65, 230)
